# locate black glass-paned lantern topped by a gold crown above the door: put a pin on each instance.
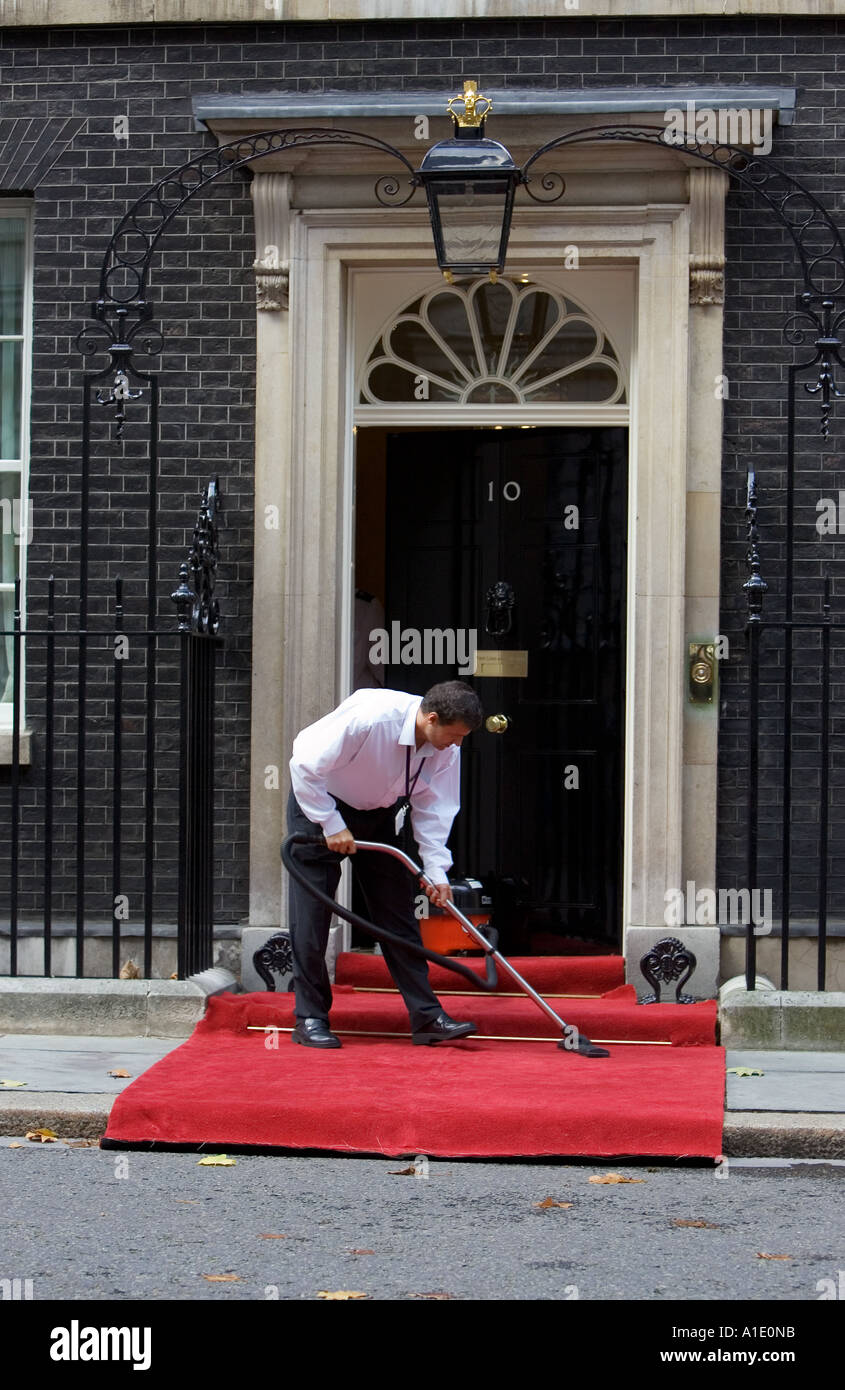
(470, 184)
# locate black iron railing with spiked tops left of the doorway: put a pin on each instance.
(129, 890)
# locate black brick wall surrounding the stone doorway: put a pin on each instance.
(204, 288)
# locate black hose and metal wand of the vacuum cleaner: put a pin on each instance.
(571, 1038)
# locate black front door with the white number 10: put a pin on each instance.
(515, 541)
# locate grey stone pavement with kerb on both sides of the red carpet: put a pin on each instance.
(794, 1110)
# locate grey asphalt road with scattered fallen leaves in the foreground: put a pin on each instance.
(85, 1224)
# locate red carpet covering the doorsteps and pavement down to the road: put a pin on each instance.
(226, 1086)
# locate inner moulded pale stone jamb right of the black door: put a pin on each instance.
(655, 715)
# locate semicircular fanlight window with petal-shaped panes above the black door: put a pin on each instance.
(500, 344)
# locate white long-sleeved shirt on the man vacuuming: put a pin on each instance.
(359, 755)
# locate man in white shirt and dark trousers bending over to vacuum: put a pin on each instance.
(356, 775)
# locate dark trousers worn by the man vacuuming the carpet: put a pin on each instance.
(390, 892)
